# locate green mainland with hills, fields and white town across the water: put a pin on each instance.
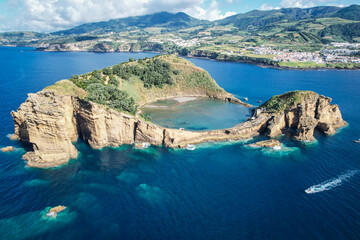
(276, 38)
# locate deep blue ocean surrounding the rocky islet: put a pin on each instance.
(218, 191)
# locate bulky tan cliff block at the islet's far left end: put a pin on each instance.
(48, 123)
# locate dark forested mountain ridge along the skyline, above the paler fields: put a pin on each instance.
(255, 18)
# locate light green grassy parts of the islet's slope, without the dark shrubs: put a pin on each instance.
(190, 80)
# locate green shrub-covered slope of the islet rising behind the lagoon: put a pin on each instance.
(128, 85)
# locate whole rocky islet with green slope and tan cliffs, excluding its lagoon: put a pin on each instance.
(92, 107)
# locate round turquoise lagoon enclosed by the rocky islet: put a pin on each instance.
(198, 114)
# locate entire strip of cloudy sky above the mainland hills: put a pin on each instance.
(52, 15)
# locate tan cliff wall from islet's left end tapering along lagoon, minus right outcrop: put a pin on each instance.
(51, 122)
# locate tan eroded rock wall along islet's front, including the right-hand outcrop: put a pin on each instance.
(51, 122)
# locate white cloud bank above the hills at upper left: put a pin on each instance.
(51, 15)
